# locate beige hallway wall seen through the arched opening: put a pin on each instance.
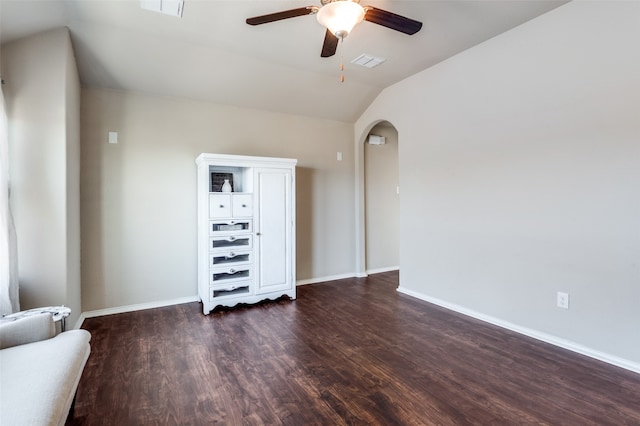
(381, 200)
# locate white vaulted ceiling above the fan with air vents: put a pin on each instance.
(211, 54)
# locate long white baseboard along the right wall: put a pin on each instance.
(548, 338)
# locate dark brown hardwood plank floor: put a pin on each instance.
(352, 351)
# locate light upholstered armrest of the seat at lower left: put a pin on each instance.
(26, 330)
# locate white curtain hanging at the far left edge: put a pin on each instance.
(9, 301)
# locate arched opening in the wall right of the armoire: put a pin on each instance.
(377, 206)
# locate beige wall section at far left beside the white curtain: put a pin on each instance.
(43, 103)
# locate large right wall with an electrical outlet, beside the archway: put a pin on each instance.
(522, 158)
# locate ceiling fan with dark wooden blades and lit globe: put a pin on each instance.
(339, 17)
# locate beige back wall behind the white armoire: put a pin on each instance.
(138, 198)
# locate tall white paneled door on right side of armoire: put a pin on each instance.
(273, 225)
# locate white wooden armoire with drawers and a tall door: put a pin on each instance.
(246, 229)
